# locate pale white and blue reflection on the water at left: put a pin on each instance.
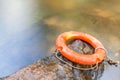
(21, 43)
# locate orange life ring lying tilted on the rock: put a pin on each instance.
(89, 59)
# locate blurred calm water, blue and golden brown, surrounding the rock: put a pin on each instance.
(28, 29)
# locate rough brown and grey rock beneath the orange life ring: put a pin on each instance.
(50, 68)
